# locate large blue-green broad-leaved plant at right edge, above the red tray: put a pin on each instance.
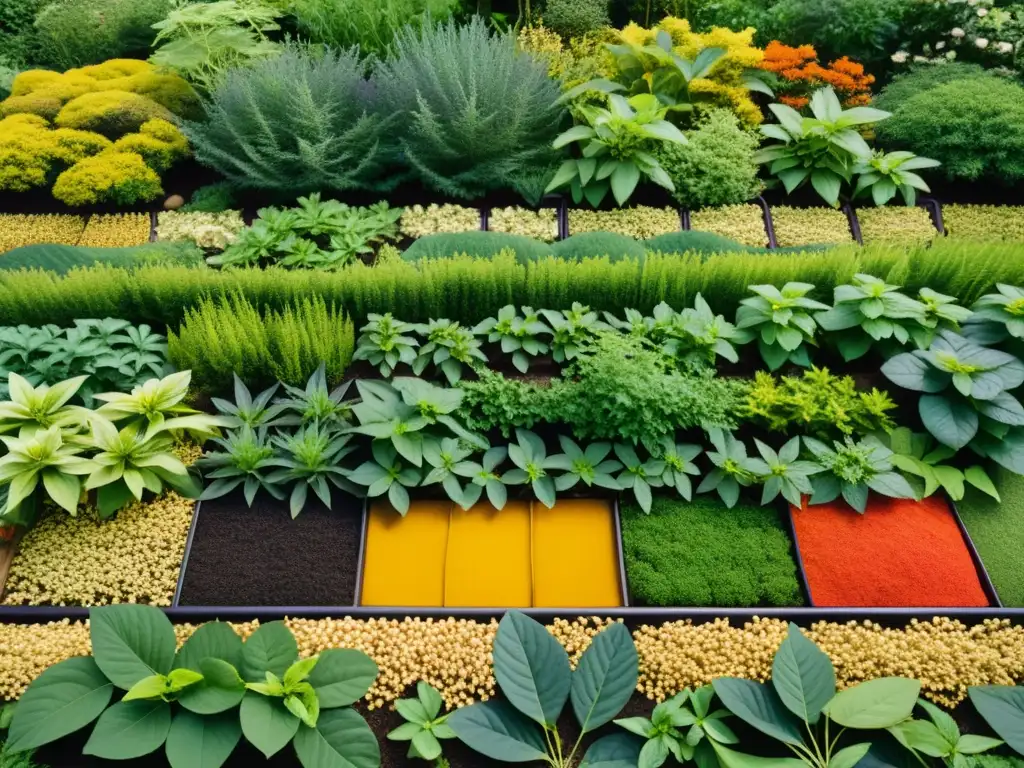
(967, 395)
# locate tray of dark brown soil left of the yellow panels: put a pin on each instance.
(262, 557)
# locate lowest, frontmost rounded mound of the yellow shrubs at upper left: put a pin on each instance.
(112, 177)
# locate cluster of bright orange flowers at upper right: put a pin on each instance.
(799, 74)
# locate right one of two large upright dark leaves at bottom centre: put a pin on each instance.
(606, 678)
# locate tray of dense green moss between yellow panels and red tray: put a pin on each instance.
(701, 553)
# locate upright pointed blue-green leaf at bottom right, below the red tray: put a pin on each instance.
(803, 676)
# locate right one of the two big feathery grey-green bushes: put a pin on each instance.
(478, 115)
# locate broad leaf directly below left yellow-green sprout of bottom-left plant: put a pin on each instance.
(130, 730)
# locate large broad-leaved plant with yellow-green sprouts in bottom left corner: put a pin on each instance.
(210, 703)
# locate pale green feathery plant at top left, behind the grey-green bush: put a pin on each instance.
(206, 41)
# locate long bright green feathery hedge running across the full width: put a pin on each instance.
(470, 290)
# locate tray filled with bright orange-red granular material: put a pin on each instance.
(900, 553)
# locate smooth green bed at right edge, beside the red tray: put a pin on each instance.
(998, 532)
